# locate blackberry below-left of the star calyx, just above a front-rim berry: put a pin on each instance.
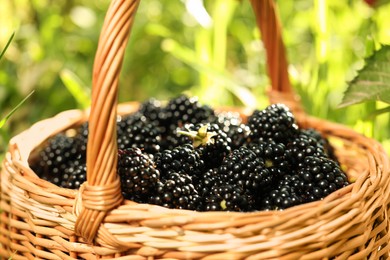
(182, 159)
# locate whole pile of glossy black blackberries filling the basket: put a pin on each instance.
(184, 155)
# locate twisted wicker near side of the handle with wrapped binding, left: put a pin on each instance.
(102, 147)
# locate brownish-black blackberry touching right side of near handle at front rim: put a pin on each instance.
(137, 173)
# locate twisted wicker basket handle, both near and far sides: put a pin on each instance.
(101, 193)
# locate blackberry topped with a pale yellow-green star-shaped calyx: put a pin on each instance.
(212, 143)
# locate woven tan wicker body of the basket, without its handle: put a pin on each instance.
(38, 218)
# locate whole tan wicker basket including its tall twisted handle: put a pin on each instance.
(42, 221)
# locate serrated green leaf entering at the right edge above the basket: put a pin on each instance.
(372, 81)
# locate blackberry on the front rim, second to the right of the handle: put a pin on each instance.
(176, 191)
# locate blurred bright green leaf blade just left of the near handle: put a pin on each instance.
(76, 87)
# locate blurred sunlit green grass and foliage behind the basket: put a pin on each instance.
(212, 51)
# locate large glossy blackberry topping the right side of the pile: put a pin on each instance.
(275, 122)
